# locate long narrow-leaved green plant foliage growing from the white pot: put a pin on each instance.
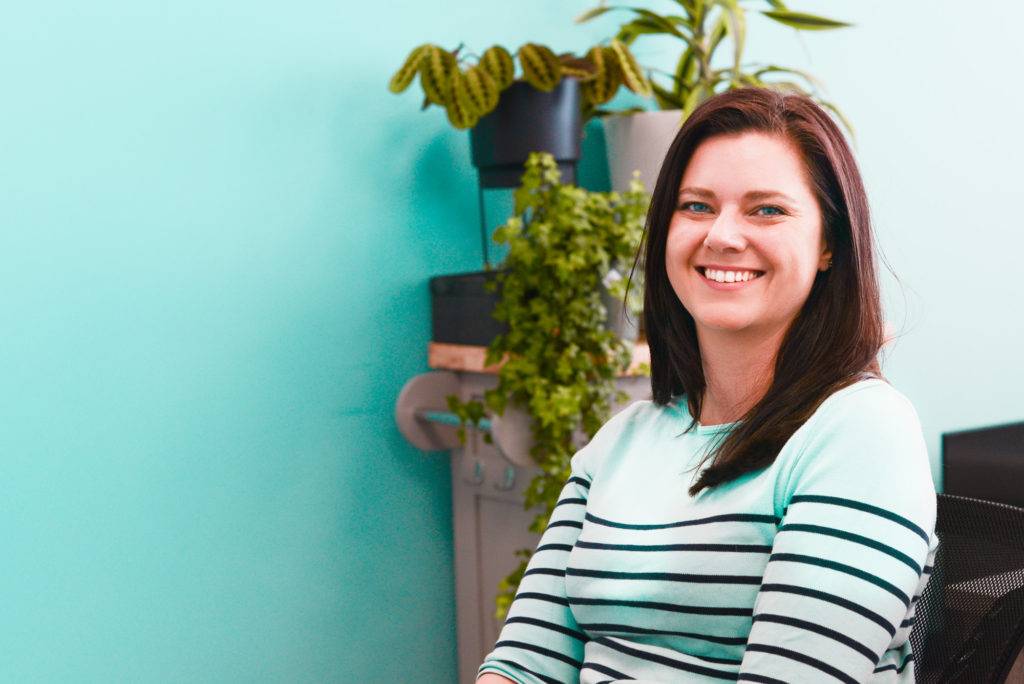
(704, 26)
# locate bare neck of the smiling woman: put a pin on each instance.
(738, 371)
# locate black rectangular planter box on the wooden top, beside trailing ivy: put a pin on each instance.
(461, 309)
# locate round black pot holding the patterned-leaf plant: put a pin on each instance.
(528, 120)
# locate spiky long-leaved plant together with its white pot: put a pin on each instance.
(639, 141)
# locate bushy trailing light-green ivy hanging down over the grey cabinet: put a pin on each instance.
(567, 245)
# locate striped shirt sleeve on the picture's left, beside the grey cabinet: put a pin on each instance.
(541, 642)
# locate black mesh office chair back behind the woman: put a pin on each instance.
(969, 623)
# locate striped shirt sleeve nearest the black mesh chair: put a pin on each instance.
(850, 554)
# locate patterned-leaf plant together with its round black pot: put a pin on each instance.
(543, 110)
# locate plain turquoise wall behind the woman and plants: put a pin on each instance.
(218, 227)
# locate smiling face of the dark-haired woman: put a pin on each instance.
(746, 208)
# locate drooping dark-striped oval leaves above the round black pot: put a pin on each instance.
(470, 87)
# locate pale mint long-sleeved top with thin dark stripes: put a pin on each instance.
(805, 571)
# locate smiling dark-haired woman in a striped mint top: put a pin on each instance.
(798, 550)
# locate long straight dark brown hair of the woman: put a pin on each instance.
(836, 338)
